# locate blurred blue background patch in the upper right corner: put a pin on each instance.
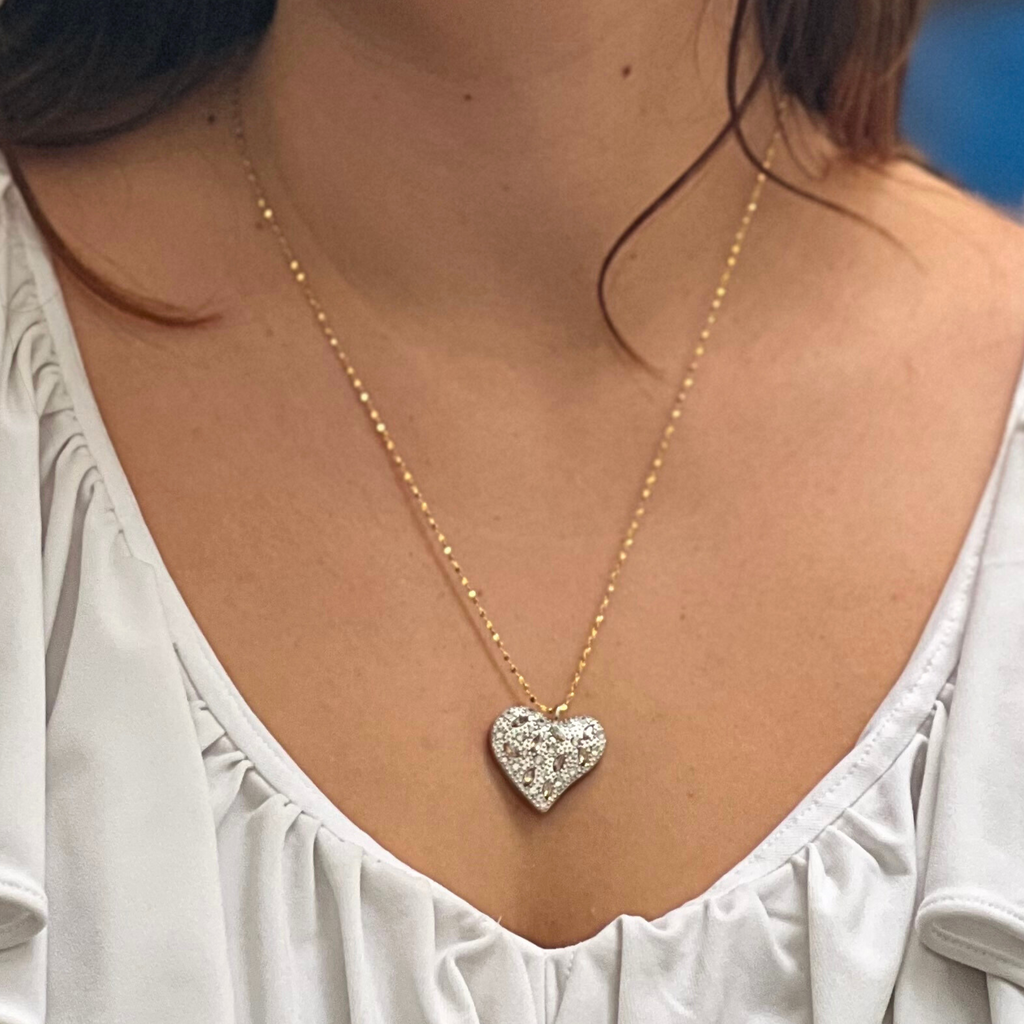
(964, 106)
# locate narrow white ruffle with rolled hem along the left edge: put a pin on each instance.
(23, 647)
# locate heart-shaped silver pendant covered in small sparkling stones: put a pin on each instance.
(543, 758)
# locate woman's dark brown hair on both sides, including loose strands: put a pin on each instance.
(74, 72)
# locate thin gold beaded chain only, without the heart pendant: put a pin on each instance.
(366, 401)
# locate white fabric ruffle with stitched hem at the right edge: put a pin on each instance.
(973, 906)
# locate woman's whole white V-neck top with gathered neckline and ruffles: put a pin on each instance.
(164, 862)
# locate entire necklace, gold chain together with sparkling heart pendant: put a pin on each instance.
(541, 752)
